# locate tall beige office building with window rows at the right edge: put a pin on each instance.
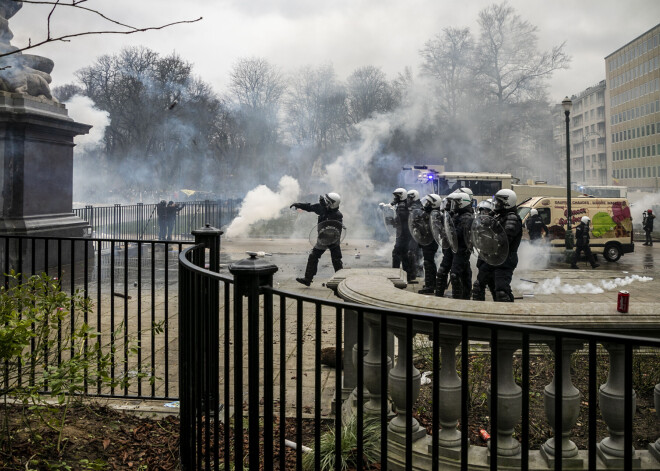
(632, 112)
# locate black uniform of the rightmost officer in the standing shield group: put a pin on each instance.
(498, 278)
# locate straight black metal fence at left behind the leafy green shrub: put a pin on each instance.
(132, 287)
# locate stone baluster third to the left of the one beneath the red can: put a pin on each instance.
(449, 408)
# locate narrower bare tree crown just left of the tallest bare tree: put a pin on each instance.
(447, 60)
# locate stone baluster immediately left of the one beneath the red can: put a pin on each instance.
(570, 410)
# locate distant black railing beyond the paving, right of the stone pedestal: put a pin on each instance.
(140, 221)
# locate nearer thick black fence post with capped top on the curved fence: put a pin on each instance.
(249, 275)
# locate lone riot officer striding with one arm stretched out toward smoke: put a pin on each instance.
(328, 210)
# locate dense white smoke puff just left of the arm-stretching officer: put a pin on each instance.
(263, 204)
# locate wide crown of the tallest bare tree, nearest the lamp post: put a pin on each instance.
(510, 67)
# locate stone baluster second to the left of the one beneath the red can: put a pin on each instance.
(509, 404)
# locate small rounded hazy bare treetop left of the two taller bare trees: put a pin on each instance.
(368, 93)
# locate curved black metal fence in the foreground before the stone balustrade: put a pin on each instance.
(242, 392)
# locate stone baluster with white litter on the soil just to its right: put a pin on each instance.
(398, 390)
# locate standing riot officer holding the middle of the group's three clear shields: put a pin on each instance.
(461, 272)
